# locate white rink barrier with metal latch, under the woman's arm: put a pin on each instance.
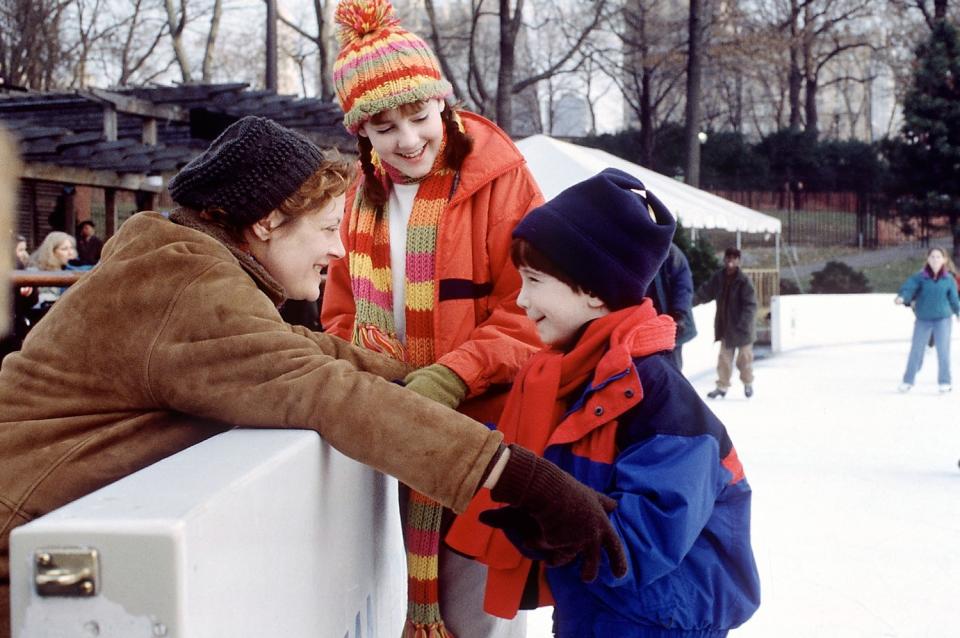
(252, 533)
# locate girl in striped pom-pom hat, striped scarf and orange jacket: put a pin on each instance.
(428, 277)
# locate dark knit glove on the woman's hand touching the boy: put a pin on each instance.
(555, 515)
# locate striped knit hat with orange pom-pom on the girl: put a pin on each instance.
(381, 65)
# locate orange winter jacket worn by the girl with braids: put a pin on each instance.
(480, 332)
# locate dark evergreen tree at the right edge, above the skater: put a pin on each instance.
(925, 161)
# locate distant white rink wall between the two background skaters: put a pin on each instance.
(800, 321)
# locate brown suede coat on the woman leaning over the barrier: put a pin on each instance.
(175, 337)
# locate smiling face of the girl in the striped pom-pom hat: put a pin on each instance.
(408, 137)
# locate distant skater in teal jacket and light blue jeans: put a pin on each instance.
(932, 293)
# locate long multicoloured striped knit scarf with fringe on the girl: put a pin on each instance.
(374, 329)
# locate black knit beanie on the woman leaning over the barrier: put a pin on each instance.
(248, 171)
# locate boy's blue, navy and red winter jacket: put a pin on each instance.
(644, 437)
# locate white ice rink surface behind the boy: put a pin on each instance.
(856, 508)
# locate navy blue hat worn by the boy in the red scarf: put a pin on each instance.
(600, 233)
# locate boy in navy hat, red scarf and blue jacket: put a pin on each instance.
(604, 403)
